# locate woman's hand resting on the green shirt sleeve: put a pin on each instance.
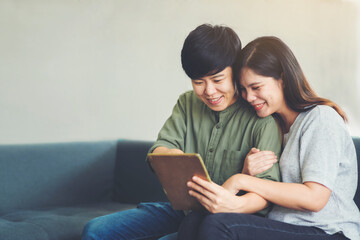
(257, 161)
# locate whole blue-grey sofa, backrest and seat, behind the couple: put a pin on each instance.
(50, 191)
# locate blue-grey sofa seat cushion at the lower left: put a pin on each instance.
(54, 223)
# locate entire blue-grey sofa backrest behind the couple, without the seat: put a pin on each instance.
(61, 174)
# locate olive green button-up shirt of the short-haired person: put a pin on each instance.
(223, 139)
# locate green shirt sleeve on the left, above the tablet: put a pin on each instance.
(172, 134)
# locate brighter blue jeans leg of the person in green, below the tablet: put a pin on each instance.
(147, 221)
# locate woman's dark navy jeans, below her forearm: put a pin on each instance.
(201, 225)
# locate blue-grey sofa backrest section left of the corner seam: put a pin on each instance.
(61, 174)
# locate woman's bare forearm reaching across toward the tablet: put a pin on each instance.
(296, 196)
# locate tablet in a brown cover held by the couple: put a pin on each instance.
(173, 172)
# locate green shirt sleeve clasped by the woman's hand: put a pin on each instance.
(268, 137)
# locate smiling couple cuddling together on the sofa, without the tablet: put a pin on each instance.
(247, 106)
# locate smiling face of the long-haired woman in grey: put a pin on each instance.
(265, 94)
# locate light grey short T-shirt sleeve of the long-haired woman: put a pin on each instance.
(321, 147)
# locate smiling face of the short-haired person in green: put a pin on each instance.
(216, 91)
